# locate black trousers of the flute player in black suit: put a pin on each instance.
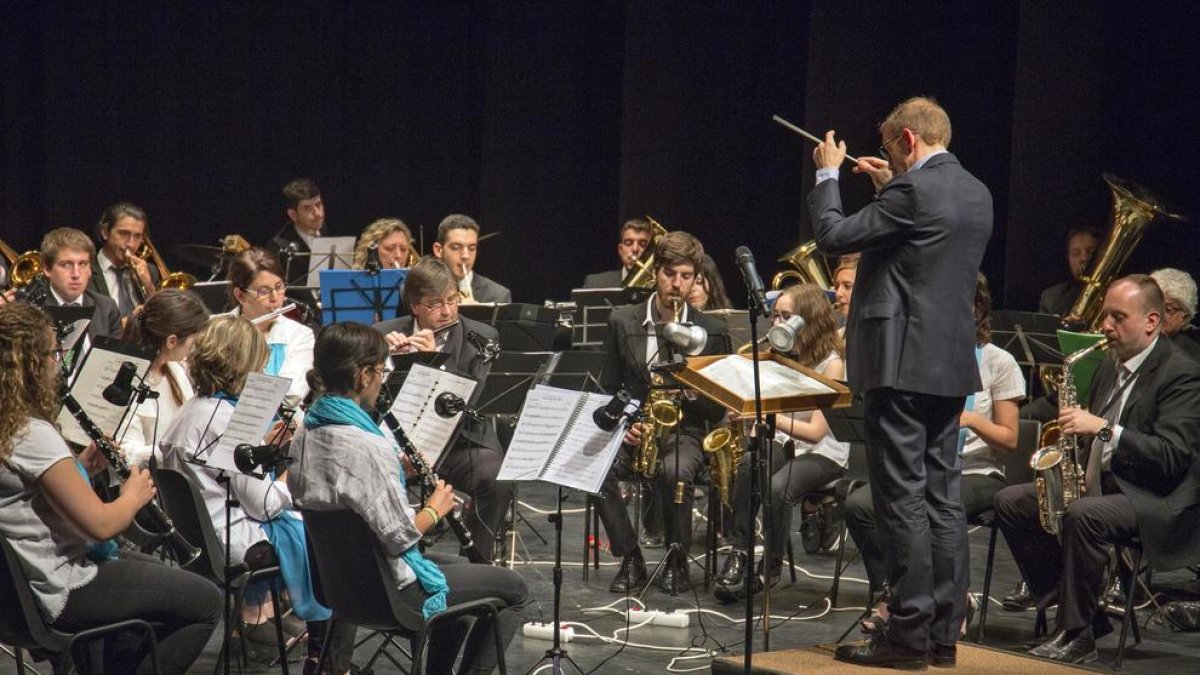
(473, 470)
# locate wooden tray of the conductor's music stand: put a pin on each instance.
(837, 395)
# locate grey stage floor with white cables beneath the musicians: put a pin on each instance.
(803, 617)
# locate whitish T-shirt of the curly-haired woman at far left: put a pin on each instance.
(52, 552)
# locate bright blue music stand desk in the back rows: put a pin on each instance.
(359, 296)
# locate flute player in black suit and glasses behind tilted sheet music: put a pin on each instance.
(476, 455)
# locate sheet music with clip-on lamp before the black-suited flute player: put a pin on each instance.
(413, 408)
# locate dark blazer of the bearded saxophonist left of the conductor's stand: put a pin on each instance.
(626, 366)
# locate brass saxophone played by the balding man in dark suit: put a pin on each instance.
(1058, 477)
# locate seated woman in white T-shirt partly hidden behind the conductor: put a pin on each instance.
(989, 427)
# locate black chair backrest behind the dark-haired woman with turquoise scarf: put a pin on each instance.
(355, 578)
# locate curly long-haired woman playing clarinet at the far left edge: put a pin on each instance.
(50, 516)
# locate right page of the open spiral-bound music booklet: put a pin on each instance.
(587, 451)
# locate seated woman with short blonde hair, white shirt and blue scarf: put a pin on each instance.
(261, 527)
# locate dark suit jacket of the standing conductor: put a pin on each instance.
(922, 237)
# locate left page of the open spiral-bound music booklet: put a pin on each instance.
(543, 421)
